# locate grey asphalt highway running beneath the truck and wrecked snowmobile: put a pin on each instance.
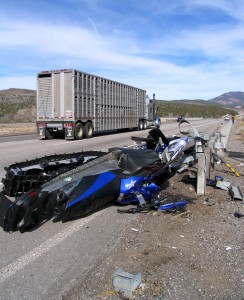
(46, 262)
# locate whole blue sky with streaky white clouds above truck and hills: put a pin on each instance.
(177, 49)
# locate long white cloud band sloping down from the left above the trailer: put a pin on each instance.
(78, 43)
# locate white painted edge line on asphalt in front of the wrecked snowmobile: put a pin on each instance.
(31, 256)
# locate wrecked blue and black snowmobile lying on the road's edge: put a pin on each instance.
(123, 175)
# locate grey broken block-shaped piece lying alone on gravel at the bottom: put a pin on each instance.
(126, 283)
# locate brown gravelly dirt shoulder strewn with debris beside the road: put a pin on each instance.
(197, 254)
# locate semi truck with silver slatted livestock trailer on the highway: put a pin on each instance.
(77, 104)
